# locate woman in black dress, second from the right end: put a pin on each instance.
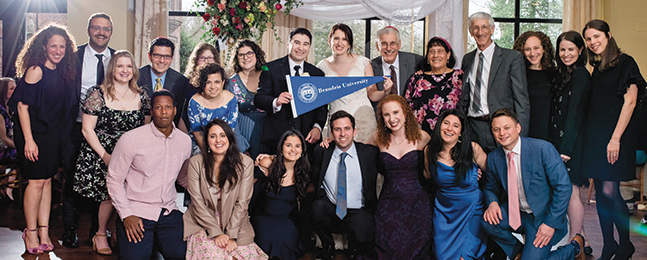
(571, 87)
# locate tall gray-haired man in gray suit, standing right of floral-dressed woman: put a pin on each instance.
(494, 77)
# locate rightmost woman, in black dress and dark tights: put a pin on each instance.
(610, 137)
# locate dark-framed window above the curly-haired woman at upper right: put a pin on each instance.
(513, 17)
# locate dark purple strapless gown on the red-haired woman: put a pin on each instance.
(403, 217)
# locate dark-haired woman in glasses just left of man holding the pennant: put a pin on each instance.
(248, 61)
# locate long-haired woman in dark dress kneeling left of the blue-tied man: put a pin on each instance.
(283, 185)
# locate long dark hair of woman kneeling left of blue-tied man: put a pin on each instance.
(276, 171)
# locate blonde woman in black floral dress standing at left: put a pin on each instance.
(109, 110)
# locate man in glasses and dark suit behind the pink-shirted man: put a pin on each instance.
(159, 75)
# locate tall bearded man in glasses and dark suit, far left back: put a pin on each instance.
(91, 69)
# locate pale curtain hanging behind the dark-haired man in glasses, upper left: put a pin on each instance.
(151, 21)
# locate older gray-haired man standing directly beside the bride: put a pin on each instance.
(400, 65)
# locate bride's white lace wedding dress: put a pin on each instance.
(356, 104)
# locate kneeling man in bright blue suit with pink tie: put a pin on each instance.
(527, 191)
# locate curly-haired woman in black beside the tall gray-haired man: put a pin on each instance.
(538, 52)
